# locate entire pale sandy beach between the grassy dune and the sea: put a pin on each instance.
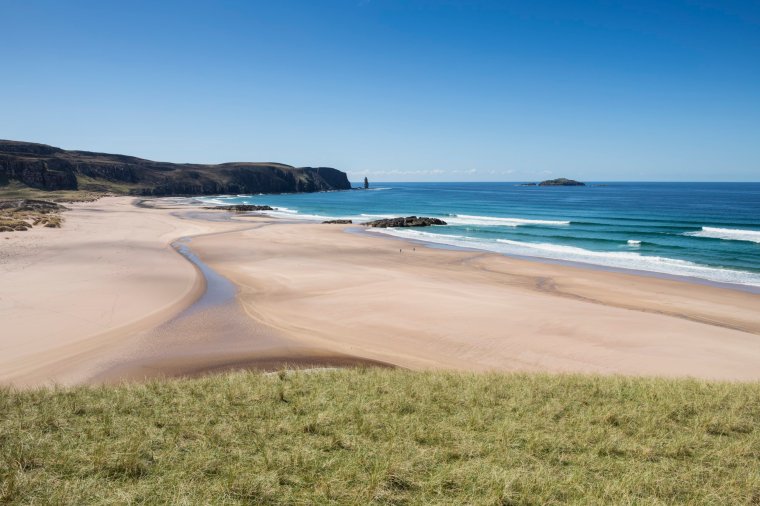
(103, 299)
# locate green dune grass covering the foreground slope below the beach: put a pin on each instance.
(384, 436)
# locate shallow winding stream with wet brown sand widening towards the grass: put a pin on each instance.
(215, 334)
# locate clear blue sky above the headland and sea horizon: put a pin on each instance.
(396, 90)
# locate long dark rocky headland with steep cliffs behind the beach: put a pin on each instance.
(49, 168)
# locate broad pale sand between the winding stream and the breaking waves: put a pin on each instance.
(434, 308)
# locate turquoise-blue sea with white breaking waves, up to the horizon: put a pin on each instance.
(709, 231)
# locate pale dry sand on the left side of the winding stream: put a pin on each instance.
(107, 274)
